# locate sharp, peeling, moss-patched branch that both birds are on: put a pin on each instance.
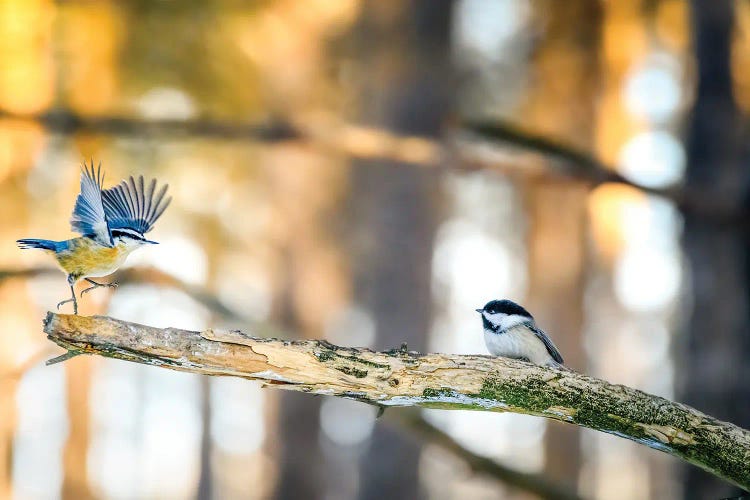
(400, 378)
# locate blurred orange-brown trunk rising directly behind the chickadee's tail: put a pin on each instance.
(566, 79)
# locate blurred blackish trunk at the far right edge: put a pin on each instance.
(716, 371)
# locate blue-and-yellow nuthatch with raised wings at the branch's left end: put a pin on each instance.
(113, 223)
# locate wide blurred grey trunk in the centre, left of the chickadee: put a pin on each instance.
(406, 47)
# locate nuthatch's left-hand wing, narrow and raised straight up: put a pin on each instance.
(88, 216)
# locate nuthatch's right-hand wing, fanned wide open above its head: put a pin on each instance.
(134, 205)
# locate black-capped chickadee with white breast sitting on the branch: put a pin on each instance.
(510, 331)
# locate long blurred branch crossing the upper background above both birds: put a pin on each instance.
(485, 145)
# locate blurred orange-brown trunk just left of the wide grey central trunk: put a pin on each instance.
(313, 287)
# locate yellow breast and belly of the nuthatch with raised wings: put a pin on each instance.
(85, 257)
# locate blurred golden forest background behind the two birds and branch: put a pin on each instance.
(327, 183)
